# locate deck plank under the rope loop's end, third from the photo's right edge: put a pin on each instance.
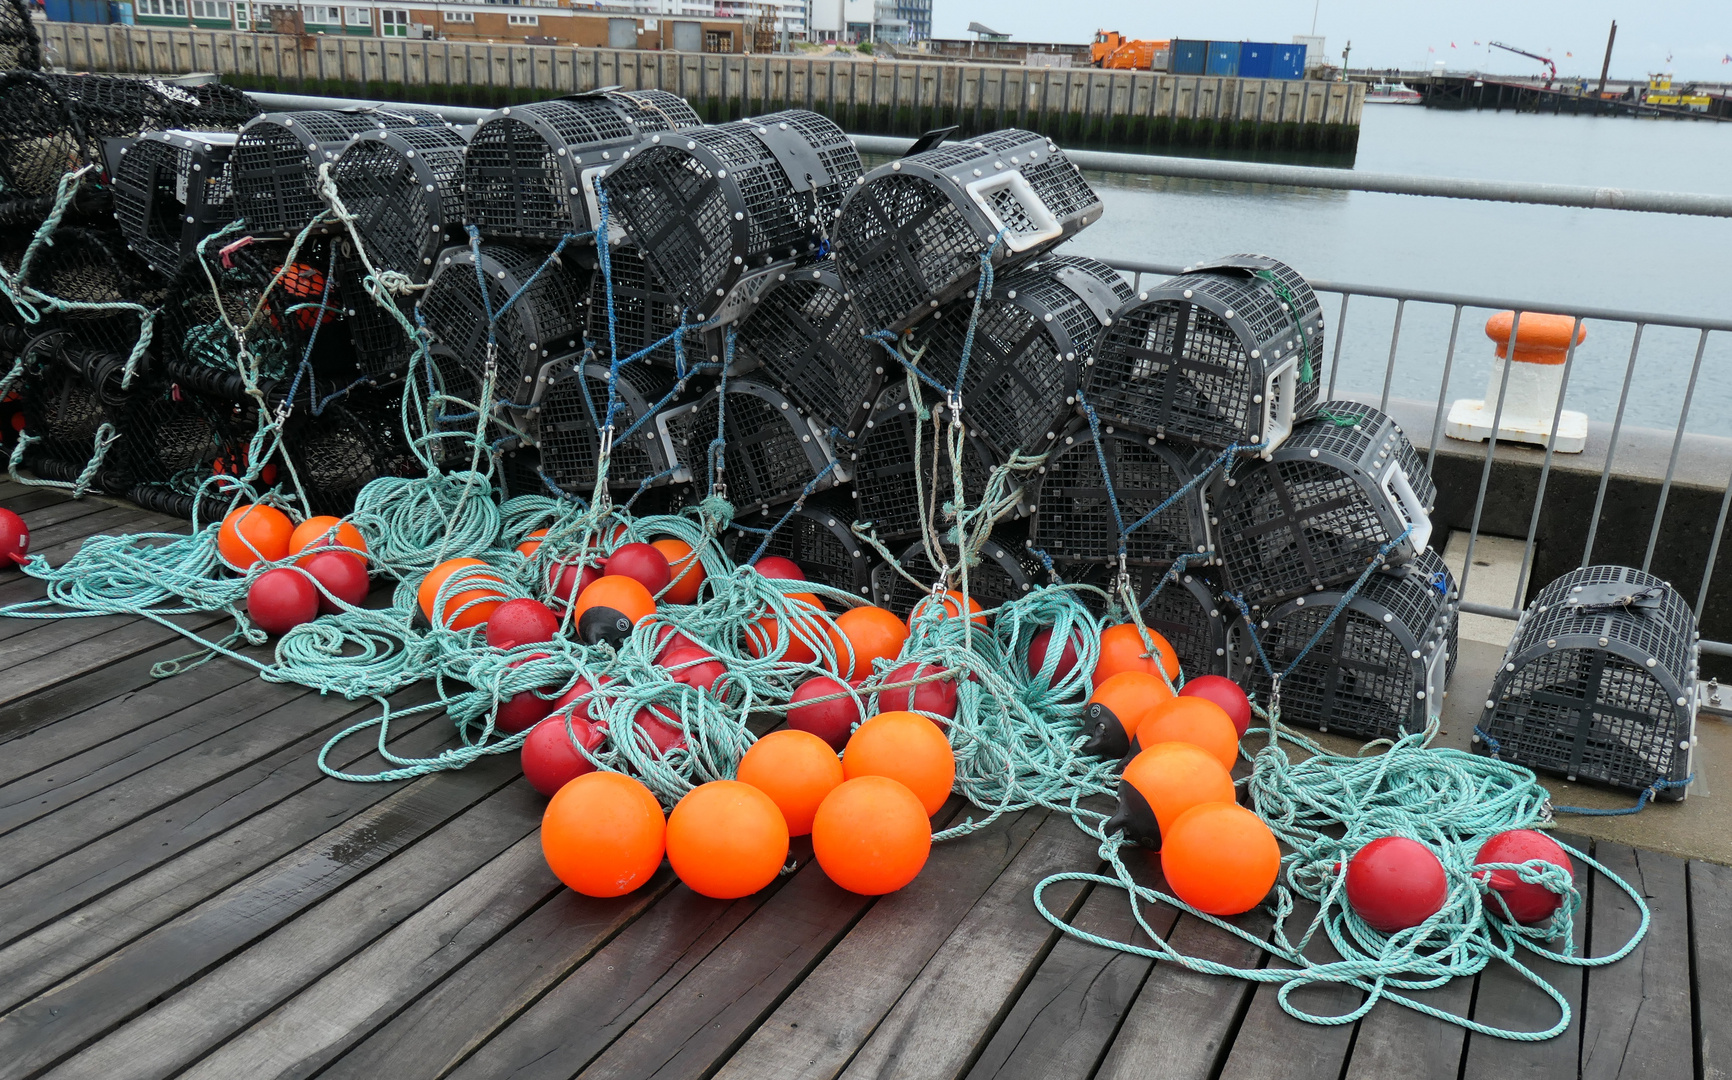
(1509, 1001)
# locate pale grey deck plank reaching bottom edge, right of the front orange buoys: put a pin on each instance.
(950, 1013)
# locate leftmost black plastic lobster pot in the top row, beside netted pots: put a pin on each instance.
(172, 190)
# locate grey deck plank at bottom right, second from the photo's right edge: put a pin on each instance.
(1638, 1019)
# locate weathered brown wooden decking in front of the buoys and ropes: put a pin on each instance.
(183, 894)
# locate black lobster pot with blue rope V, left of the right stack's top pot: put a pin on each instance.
(1073, 511)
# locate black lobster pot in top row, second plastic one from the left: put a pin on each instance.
(278, 157)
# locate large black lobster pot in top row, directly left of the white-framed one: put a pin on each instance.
(713, 205)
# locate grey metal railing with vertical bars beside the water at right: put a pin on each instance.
(1456, 305)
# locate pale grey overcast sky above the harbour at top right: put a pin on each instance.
(1696, 34)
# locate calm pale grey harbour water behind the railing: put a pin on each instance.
(1527, 254)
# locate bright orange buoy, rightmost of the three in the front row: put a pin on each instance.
(872, 837)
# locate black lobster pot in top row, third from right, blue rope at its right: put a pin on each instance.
(531, 169)
